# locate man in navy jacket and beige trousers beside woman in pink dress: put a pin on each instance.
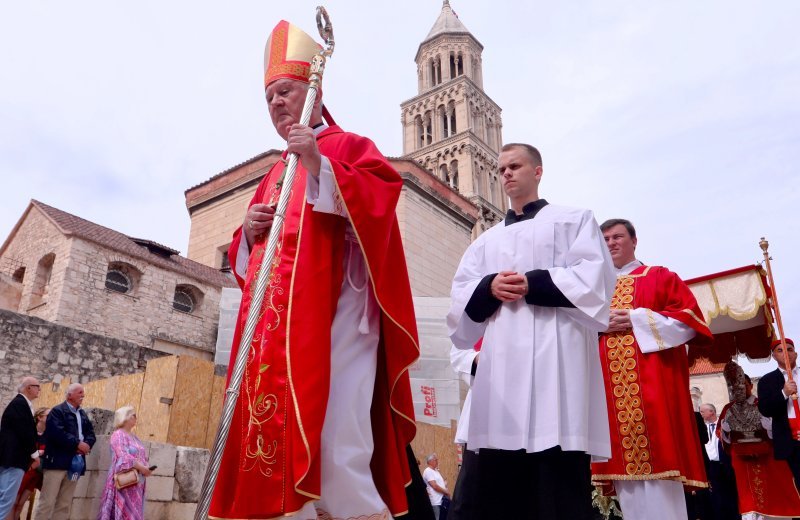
(68, 434)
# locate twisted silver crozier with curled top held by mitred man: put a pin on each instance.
(264, 274)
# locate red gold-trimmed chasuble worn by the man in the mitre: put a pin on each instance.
(271, 464)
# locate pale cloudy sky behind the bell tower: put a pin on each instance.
(681, 116)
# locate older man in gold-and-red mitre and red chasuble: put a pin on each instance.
(325, 411)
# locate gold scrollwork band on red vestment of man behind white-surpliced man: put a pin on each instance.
(624, 375)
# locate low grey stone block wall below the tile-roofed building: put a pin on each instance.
(32, 346)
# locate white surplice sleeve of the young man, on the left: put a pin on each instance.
(464, 332)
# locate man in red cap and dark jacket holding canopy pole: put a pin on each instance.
(775, 400)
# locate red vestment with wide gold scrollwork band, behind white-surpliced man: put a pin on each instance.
(652, 425)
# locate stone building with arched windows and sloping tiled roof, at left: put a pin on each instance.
(72, 272)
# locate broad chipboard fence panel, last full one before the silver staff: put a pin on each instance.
(188, 421)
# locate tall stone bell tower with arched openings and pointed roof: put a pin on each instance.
(451, 127)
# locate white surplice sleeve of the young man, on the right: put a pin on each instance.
(588, 278)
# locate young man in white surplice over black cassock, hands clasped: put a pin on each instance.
(537, 287)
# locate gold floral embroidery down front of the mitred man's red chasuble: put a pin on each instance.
(261, 402)
